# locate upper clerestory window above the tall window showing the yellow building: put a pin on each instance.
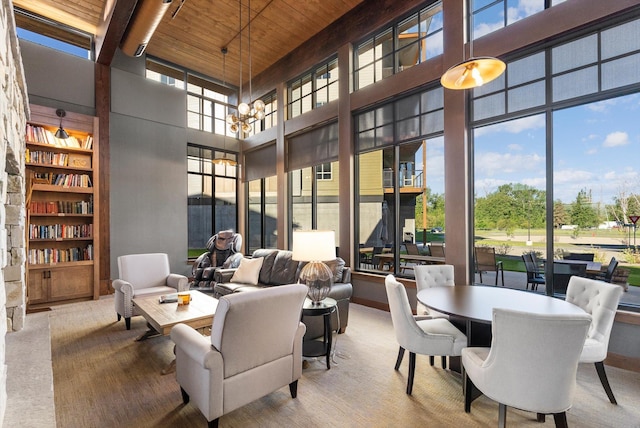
(400, 46)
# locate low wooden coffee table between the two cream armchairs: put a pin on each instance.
(161, 317)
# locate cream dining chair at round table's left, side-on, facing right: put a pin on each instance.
(434, 336)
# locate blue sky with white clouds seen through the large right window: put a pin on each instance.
(596, 148)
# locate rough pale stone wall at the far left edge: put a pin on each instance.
(13, 115)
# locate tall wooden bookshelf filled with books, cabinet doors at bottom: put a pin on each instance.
(62, 206)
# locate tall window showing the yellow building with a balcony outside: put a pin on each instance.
(400, 187)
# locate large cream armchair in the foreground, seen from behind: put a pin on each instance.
(255, 348)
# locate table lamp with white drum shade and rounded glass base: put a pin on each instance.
(315, 247)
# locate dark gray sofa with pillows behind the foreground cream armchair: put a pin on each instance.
(278, 268)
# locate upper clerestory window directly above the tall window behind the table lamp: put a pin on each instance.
(313, 89)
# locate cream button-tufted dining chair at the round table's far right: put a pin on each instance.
(599, 299)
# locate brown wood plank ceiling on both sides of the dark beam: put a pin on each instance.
(193, 32)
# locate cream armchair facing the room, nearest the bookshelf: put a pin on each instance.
(141, 275)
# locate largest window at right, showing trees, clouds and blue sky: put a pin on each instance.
(581, 97)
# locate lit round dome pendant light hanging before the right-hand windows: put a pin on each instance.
(472, 73)
